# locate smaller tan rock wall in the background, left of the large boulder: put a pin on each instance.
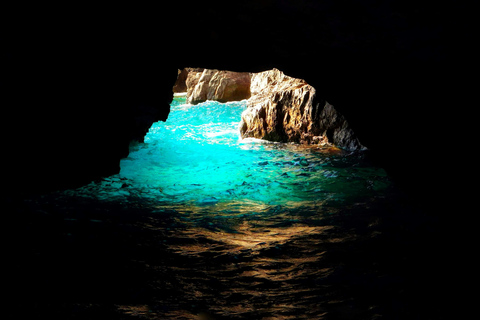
(218, 85)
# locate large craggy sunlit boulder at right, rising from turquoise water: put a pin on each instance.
(285, 109)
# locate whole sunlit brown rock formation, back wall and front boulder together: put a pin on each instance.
(280, 108)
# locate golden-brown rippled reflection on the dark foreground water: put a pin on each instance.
(242, 259)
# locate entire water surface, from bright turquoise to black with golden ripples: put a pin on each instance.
(200, 224)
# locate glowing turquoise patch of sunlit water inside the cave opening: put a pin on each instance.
(197, 158)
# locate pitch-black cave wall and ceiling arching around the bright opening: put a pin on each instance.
(80, 86)
